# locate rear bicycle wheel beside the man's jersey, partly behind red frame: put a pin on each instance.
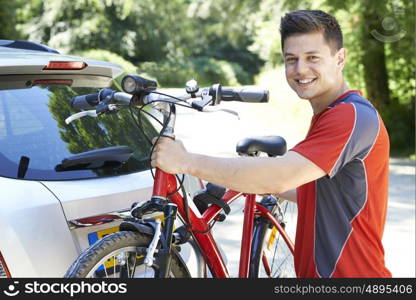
(271, 256)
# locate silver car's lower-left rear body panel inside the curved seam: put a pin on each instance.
(36, 240)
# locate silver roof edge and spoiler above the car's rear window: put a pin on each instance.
(17, 61)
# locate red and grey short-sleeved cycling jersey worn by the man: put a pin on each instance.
(341, 216)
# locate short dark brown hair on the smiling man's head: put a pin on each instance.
(306, 21)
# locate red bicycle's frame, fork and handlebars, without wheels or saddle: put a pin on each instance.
(165, 184)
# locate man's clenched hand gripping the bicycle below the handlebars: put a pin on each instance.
(170, 156)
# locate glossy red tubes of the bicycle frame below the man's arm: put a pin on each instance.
(165, 184)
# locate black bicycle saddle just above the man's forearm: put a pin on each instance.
(272, 145)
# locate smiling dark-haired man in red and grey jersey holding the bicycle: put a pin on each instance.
(340, 170)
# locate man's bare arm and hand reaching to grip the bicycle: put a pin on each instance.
(260, 175)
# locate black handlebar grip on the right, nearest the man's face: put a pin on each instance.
(244, 94)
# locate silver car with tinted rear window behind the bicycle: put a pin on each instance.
(49, 210)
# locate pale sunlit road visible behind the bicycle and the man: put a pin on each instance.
(217, 134)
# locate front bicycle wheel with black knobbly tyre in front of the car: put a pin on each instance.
(121, 255)
